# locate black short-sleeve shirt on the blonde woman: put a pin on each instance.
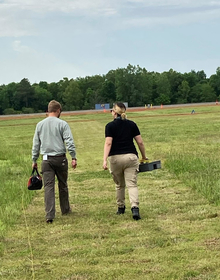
(122, 132)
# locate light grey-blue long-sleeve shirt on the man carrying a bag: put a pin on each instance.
(52, 137)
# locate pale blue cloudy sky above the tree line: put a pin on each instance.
(47, 40)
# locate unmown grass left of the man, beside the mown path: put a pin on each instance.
(15, 167)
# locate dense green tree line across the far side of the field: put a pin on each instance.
(133, 84)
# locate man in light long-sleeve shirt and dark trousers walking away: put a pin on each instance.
(51, 139)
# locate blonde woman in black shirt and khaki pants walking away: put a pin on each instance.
(120, 150)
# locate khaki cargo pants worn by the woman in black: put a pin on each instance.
(124, 170)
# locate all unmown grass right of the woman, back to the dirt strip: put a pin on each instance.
(188, 146)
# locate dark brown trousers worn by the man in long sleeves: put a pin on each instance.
(55, 166)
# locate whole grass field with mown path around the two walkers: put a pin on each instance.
(178, 235)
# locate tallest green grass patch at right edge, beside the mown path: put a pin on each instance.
(198, 171)
